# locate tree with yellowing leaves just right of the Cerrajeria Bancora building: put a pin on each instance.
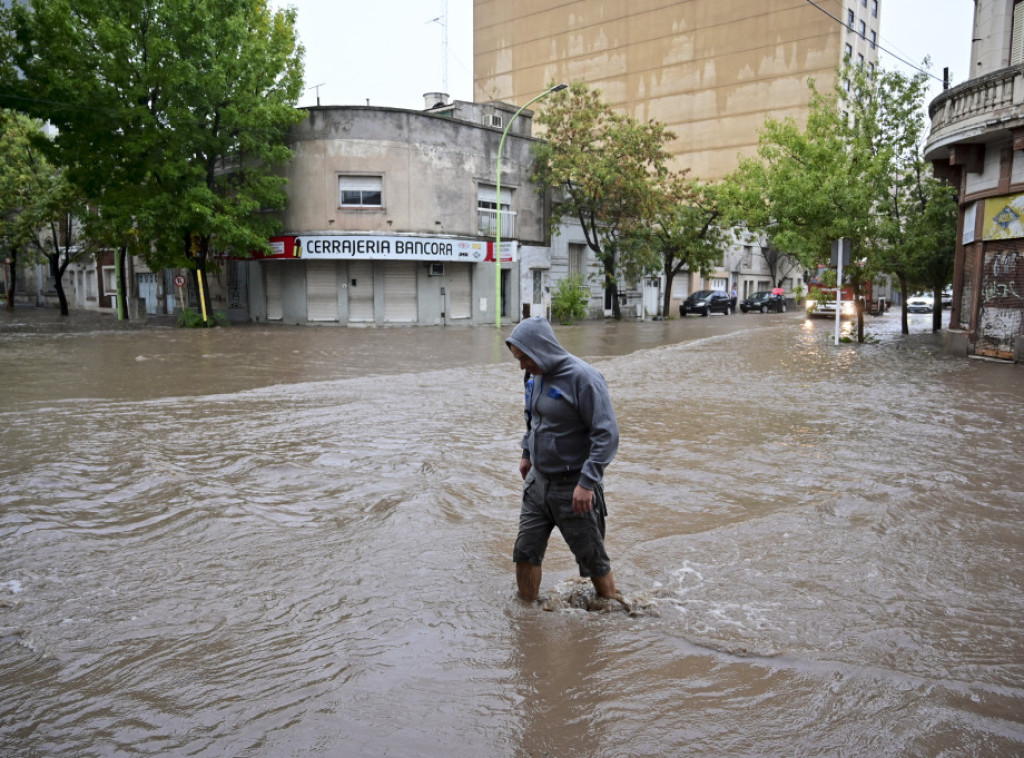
(603, 166)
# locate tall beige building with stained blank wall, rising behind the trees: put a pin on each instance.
(711, 70)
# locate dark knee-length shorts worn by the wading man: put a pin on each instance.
(547, 502)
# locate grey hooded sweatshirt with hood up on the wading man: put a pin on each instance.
(572, 426)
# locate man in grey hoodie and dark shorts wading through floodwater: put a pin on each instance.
(572, 437)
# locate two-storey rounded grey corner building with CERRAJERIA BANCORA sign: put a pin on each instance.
(393, 216)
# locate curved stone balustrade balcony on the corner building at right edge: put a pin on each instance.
(974, 106)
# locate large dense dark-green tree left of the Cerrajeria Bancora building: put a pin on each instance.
(173, 116)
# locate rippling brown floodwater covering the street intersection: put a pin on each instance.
(292, 542)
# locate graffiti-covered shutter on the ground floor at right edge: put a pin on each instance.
(1001, 312)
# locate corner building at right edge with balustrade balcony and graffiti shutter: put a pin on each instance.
(976, 143)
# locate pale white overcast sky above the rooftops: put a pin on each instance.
(391, 52)
